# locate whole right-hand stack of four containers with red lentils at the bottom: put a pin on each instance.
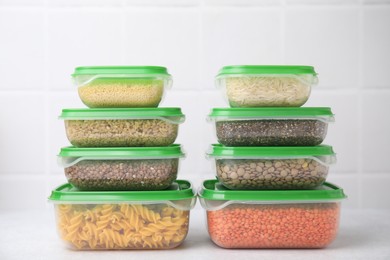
(270, 164)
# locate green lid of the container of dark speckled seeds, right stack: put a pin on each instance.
(272, 112)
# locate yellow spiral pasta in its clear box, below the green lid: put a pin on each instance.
(122, 226)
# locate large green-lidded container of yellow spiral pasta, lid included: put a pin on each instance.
(123, 220)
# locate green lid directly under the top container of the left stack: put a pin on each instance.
(170, 114)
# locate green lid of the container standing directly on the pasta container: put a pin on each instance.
(171, 151)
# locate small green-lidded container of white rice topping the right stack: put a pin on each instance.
(266, 86)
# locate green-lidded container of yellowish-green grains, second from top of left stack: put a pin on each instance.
(99, 127)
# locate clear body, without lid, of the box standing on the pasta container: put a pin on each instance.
(145, 174)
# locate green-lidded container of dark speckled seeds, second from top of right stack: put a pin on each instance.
(302, 126)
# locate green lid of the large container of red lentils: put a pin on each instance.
(212, 190)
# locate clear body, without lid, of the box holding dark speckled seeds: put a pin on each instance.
(271, 132)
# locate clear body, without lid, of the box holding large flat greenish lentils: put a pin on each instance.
(271, 174)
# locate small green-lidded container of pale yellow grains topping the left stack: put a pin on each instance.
(121, 86)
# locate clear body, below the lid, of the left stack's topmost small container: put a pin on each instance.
(110, 92)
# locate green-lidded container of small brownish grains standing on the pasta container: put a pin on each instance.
(121, 168)
